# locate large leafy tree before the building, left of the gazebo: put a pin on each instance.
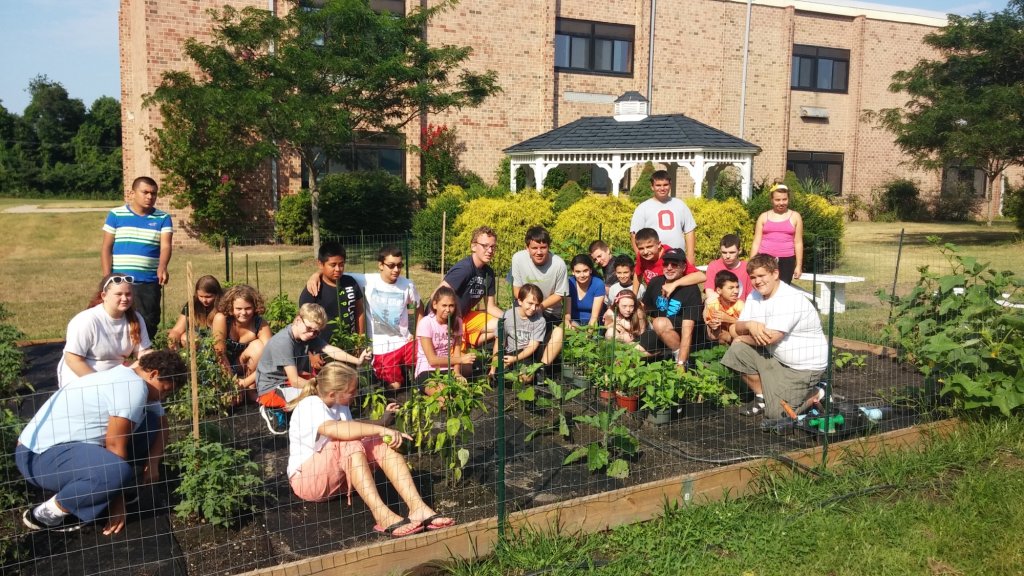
(307, 84)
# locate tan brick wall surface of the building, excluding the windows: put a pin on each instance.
(699, 52)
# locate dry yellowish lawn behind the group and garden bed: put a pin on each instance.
(51, 266)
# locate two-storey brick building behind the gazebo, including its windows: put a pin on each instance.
(790, 76)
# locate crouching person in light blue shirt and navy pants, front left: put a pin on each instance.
(84, 442)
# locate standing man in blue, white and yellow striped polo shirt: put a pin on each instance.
(138, 243)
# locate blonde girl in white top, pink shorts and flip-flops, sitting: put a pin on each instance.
(330, 454)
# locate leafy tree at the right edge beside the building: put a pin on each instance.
(968, 107)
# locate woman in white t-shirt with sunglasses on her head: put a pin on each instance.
(109, 334)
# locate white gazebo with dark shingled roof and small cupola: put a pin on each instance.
(631, 138)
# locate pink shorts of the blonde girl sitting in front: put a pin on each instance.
(326, 474)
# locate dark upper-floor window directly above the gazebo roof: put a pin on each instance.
(593, 47)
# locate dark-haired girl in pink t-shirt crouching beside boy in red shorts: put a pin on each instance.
(440, 336)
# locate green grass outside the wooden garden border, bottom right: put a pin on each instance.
(957, 508)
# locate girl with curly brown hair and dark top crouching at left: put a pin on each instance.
(240, 335)
